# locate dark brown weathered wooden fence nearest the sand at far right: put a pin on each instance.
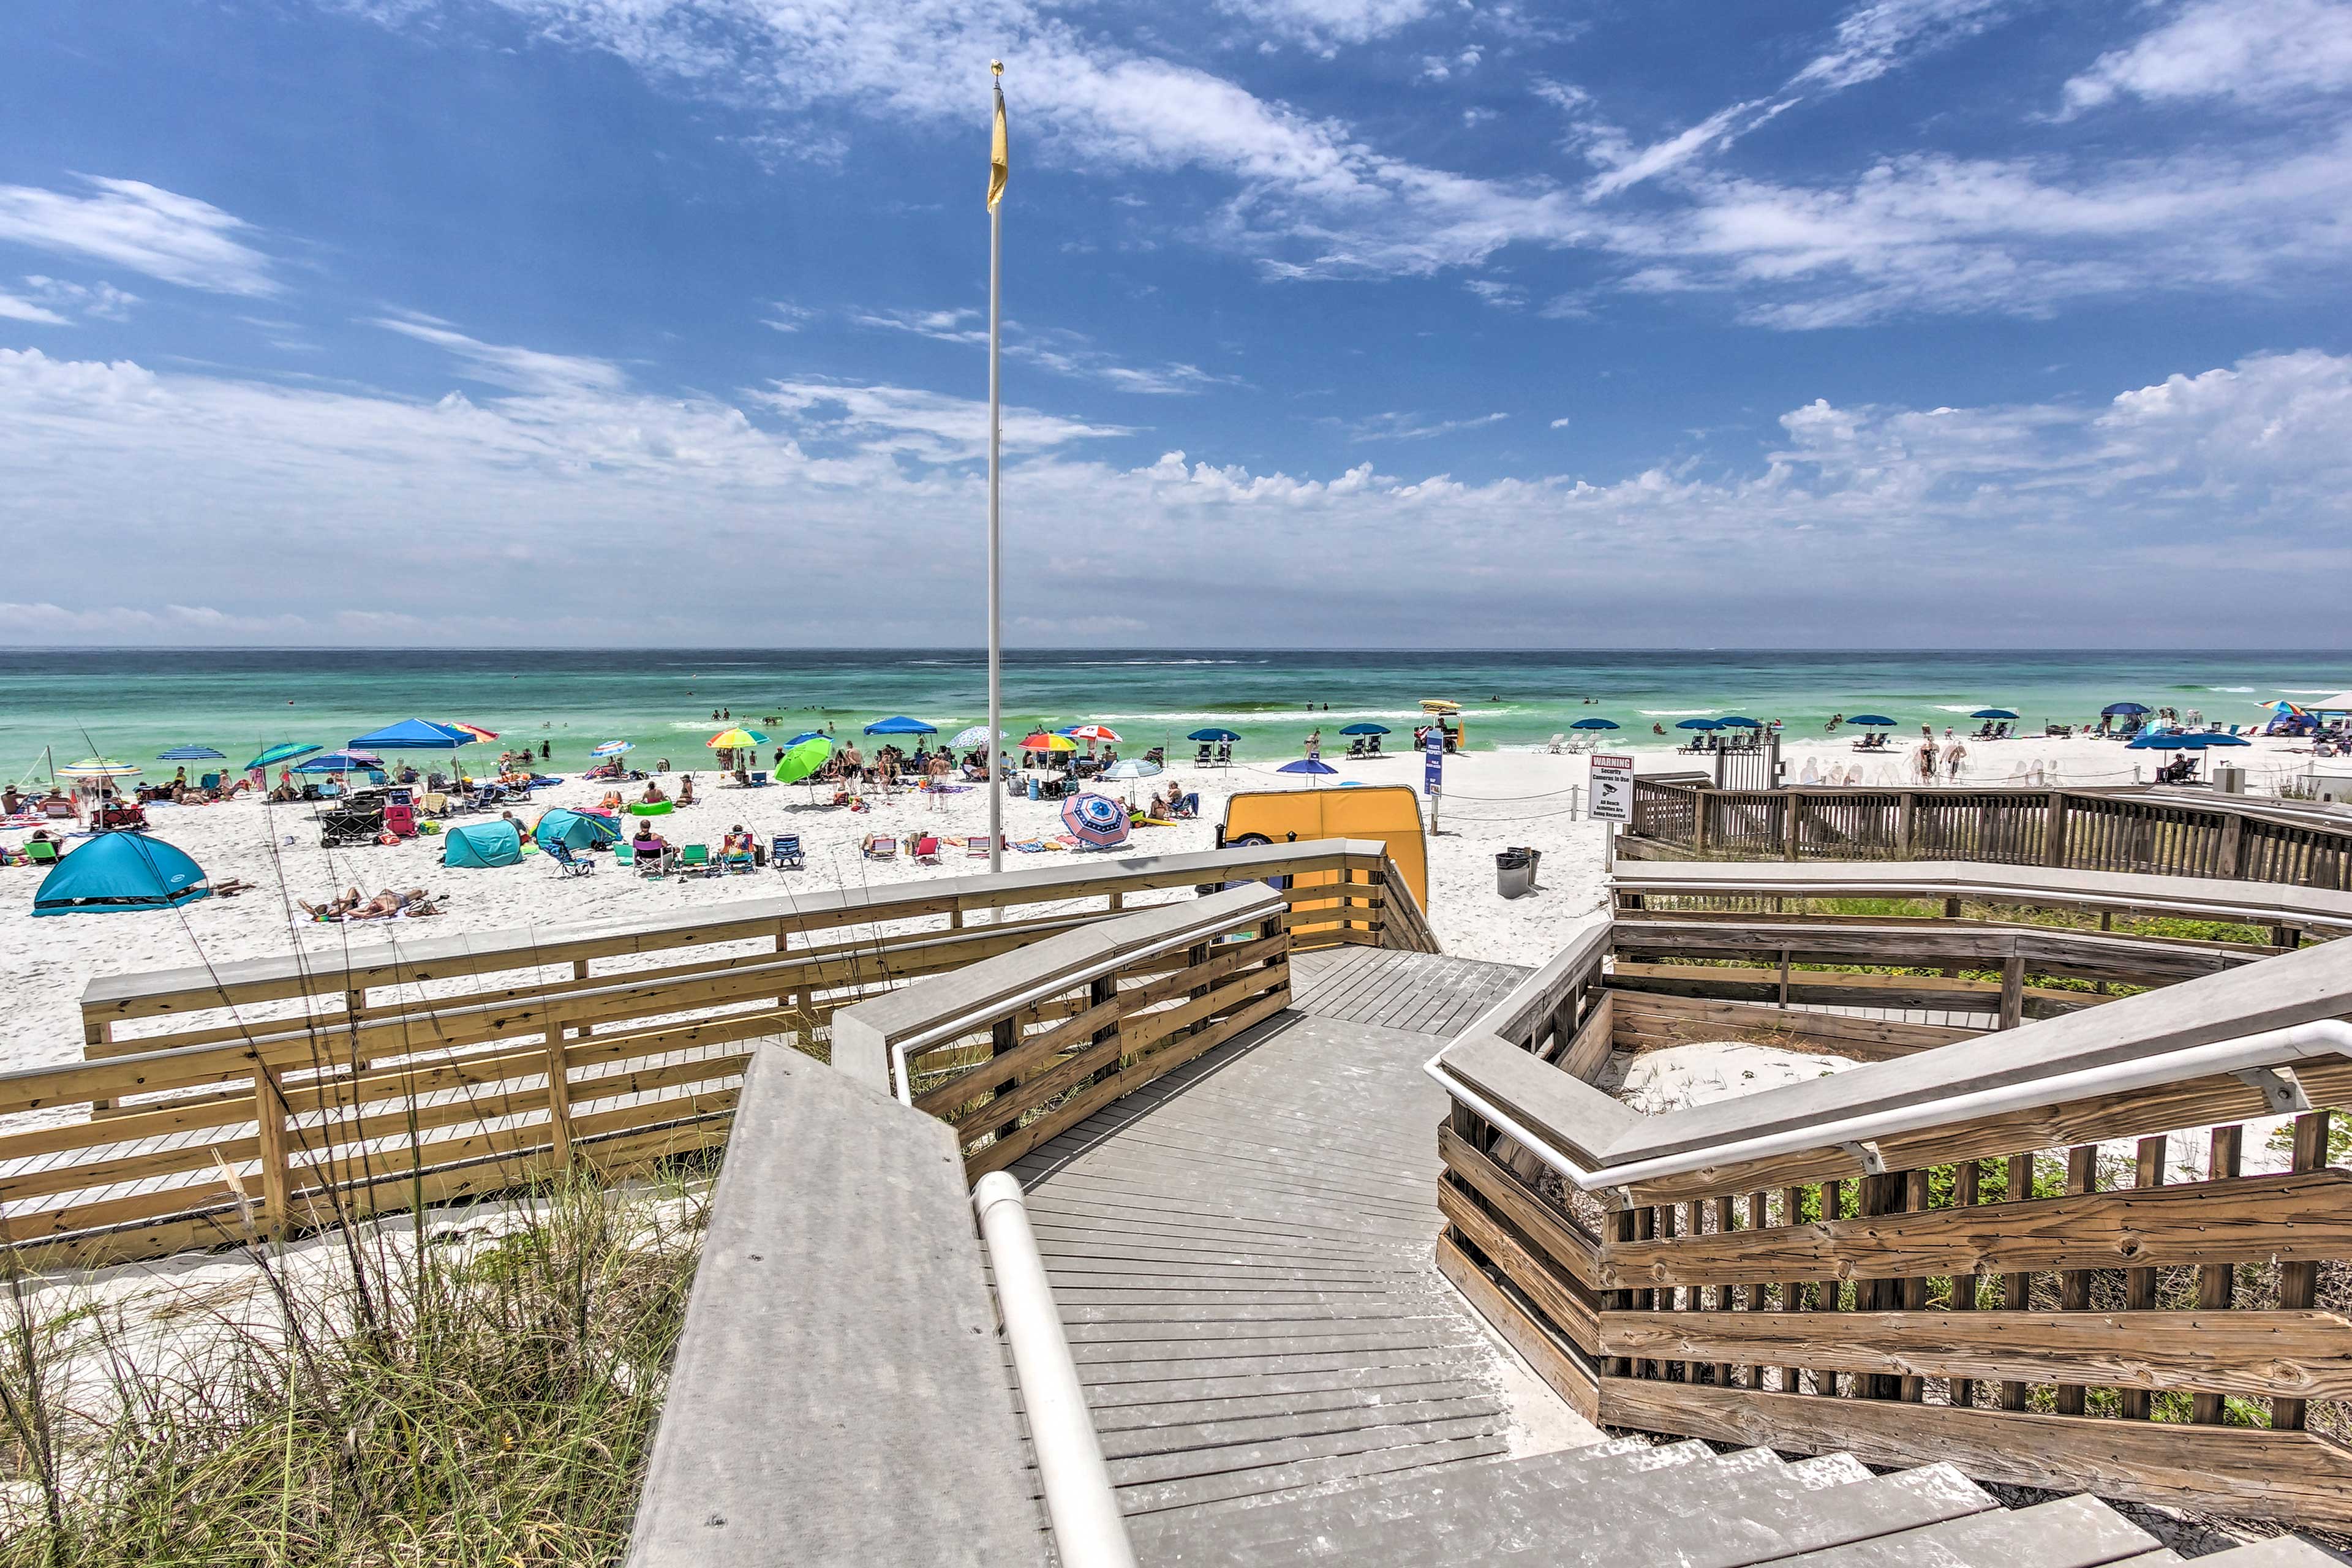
(2073, 829)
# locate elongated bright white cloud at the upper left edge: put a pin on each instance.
(145, 229)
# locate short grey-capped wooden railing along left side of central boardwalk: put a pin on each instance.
(1024, 1047)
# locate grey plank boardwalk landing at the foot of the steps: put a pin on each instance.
(1243, 1257)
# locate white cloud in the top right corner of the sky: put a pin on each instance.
(2257, 53)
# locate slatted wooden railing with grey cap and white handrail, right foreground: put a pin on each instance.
(1935, 1259)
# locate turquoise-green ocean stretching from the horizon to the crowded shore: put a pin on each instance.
(133, 704)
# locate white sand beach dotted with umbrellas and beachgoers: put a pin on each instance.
(1495, 800)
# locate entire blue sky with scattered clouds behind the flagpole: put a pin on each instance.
(1328, 321)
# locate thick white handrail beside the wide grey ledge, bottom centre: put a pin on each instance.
(1090, 1532)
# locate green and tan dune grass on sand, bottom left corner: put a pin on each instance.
(486, 1398)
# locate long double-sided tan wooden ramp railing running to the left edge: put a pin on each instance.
(302, 1092)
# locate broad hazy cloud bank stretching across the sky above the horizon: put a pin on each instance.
(241, 504)
